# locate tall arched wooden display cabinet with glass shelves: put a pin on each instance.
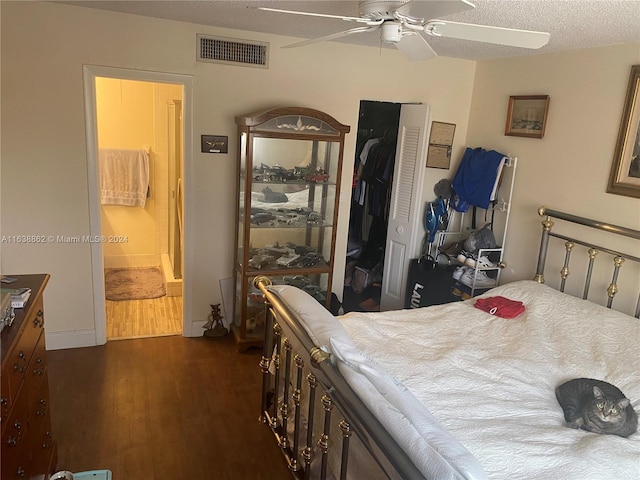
(290, 164)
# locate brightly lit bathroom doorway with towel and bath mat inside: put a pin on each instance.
(141, 265)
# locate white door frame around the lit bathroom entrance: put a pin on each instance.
(90, 73)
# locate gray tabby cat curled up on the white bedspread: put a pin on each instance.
(596, 406)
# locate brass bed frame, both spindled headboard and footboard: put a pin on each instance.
(302, 389)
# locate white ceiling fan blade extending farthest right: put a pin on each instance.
(483, 33)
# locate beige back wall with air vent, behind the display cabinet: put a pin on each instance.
(44, 157)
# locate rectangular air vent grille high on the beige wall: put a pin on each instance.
(233, 51)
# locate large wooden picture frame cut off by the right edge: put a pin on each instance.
(624, 178)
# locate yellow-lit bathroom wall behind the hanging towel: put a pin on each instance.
(133, 115)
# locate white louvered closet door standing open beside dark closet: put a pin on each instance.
(405, 231)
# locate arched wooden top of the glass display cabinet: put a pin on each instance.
(294, 120)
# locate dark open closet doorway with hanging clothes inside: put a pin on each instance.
(373, 168)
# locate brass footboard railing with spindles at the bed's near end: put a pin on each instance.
(282, 329)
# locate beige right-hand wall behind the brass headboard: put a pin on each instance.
(569, 168)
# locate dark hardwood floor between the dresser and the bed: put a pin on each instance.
(162, 408)
